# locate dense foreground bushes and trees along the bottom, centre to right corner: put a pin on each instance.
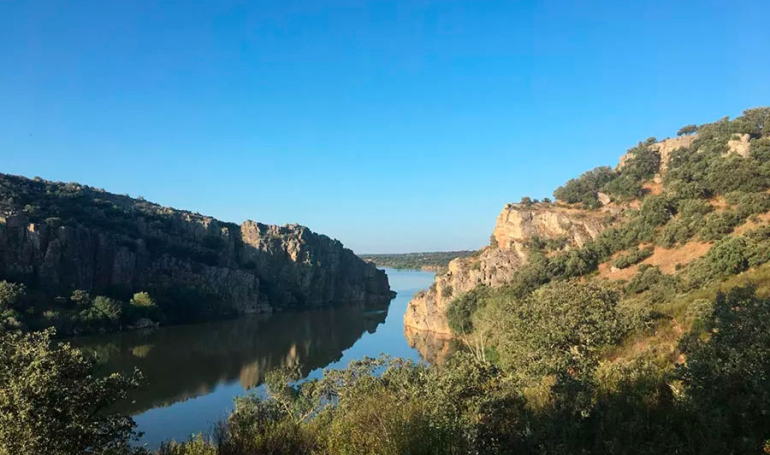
(547, 394)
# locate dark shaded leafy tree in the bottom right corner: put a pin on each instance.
(725, 377)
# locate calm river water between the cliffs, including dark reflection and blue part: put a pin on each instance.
(195, 371)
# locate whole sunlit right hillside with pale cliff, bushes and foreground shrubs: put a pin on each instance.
(630, 316)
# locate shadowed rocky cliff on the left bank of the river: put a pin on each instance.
(61, 237)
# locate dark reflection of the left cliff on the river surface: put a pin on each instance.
(187, 361)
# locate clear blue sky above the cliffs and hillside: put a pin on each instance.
(392, 126)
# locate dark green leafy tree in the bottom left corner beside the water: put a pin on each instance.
(52, 403)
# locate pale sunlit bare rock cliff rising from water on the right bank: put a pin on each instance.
(494, 266)
